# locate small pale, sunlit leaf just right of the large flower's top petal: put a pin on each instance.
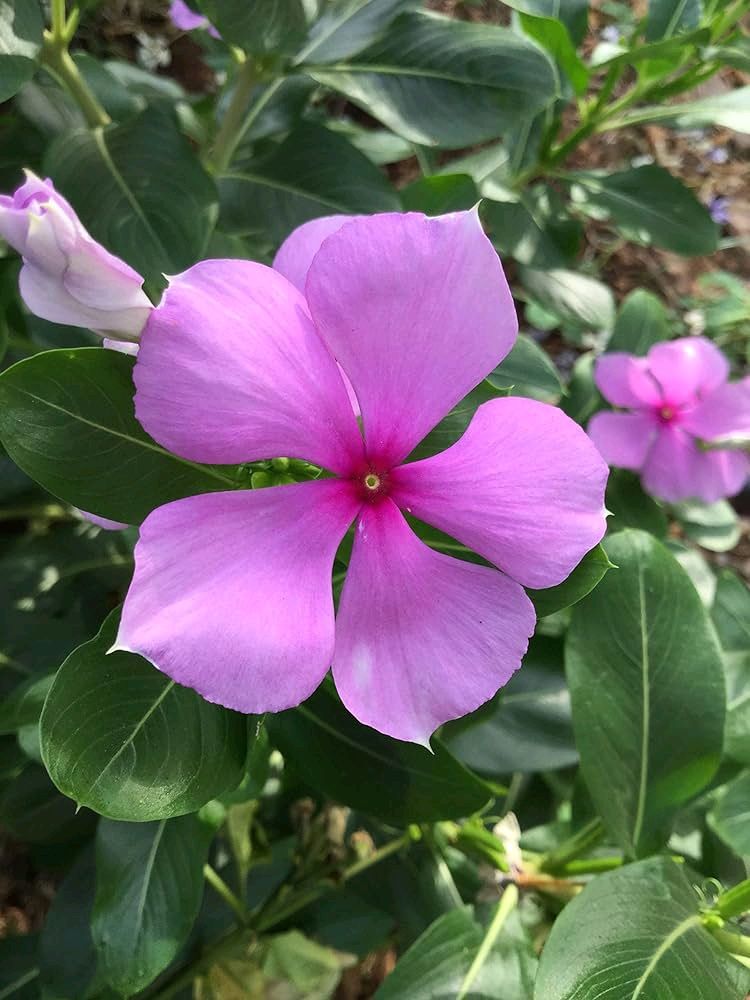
(575, 298)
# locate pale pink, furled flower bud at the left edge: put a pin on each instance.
(66, 276)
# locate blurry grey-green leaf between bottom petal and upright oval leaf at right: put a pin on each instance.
(527, 726)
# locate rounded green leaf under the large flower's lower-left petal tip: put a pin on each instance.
(122, 738)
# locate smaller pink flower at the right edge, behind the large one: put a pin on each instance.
(676, 397)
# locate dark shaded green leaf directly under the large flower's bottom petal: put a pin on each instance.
(413, 785)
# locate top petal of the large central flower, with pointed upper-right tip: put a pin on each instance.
(416, 311)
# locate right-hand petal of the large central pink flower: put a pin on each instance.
(523, 487)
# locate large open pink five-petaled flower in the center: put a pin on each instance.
(232, 591)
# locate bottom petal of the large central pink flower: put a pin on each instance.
(420, 637)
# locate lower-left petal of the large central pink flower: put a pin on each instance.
(232, 592)
